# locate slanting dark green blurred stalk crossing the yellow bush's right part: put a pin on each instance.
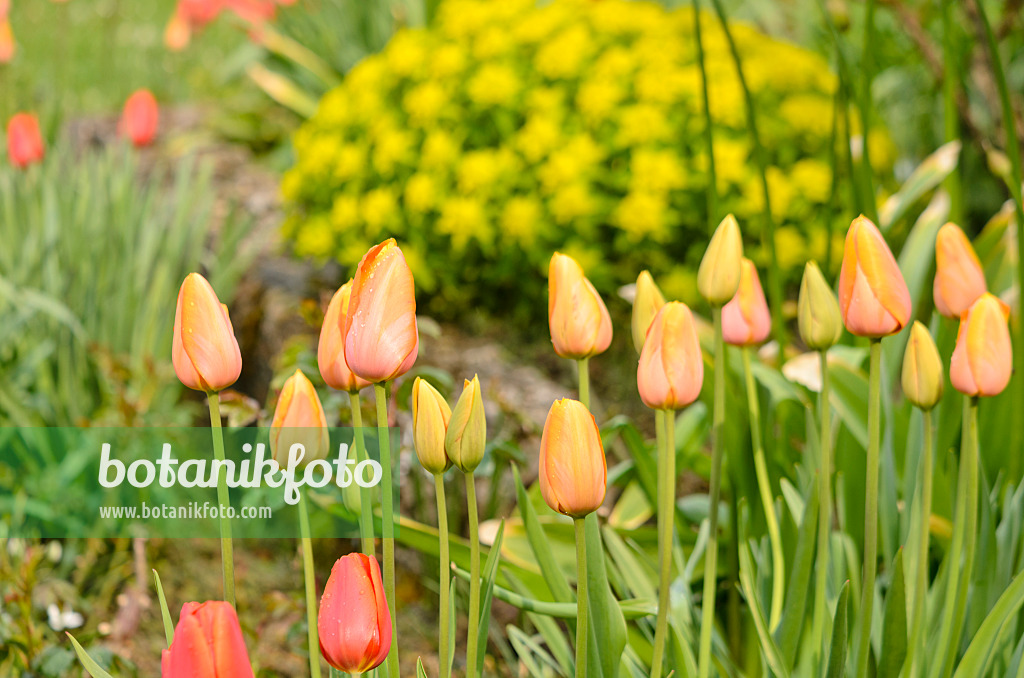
(769, 237)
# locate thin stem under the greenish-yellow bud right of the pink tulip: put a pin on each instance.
(825, 514)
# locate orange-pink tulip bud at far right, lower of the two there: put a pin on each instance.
(983, 362)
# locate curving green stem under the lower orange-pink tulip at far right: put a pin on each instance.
(965, 540)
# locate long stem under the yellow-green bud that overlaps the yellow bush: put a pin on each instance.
(711, 555)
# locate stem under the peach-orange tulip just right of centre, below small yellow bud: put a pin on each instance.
(666, 522)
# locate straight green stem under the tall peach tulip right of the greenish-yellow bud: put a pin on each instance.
(871, 511)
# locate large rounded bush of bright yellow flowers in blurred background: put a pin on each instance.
(510, 130)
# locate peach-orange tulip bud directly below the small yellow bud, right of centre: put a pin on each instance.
(671, 371)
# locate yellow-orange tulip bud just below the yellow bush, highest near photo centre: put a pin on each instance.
(578, 318)
